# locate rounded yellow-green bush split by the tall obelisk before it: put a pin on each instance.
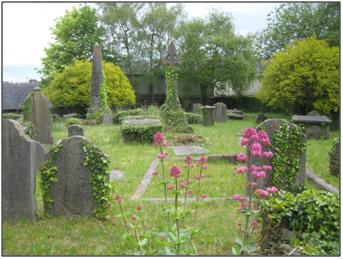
(71, 87)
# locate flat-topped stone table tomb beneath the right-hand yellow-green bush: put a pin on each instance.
(317, 126)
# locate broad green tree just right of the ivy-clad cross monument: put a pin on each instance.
(211, 52)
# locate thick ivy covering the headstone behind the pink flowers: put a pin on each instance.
(288, 145)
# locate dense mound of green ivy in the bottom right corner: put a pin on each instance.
(312, 215)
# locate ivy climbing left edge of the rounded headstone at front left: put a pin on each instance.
(47, 171)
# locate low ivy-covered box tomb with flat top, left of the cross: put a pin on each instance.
(142, 133)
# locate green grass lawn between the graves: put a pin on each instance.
(217, 220)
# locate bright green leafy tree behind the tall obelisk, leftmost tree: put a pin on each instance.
(74, 34)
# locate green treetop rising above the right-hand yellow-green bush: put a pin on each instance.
(292, 21)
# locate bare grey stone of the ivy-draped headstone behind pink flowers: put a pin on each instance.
(270, 127)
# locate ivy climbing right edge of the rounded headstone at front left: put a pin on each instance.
(98, 163)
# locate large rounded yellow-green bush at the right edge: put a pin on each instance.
(305, 76)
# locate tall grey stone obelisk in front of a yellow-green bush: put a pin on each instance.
(96, 78)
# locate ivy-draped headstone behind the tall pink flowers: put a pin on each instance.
(289, 156)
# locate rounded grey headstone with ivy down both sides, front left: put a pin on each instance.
(75, 179)
